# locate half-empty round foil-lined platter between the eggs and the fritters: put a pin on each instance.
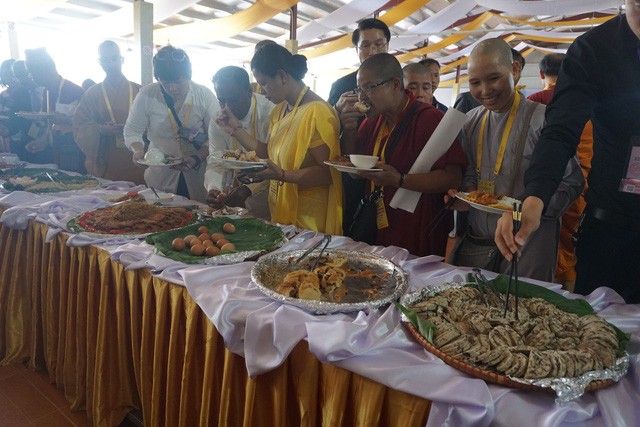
(366, 272)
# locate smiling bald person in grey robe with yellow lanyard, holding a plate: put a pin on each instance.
(492, 73)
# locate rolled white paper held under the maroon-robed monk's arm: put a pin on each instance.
(437, 145)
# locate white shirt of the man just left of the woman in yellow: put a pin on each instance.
(217, 178)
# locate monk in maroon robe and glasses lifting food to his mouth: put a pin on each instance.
(396, 129)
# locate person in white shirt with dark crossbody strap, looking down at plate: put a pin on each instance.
(179, 132)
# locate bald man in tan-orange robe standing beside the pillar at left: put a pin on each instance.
(99, 120)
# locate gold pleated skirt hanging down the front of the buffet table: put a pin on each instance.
(114, 340)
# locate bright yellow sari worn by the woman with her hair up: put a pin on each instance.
(290, 138)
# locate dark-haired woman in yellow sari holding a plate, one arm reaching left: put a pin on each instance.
(303, 134)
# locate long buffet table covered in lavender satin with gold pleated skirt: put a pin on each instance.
(104, 316)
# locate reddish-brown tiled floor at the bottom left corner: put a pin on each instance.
(27, 399)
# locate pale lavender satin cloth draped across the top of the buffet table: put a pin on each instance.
(371, 343)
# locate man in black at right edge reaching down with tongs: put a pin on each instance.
(599, 79)
